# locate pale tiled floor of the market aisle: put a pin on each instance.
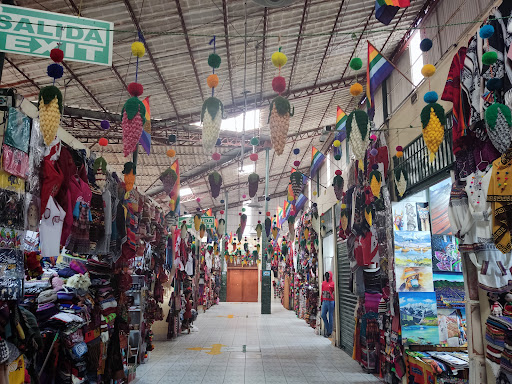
(279, 349)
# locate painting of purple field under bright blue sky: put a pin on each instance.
(449, 289)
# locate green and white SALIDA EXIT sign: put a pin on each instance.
(35, 33)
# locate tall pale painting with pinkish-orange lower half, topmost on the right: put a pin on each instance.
(439, 201)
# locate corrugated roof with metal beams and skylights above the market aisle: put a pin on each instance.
(317, 63)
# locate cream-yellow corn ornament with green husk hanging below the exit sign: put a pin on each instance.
(50, 109)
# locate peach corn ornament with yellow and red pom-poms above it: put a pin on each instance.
(280, 109)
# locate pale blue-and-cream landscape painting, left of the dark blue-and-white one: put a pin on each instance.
(413, 249)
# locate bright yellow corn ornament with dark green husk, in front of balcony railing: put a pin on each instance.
(433, 121)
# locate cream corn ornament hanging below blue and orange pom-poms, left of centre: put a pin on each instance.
(213, 109)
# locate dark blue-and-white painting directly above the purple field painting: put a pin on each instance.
(445, 254)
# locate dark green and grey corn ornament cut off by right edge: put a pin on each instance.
(498, 120)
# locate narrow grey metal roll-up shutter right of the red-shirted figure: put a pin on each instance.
(348, 301)
